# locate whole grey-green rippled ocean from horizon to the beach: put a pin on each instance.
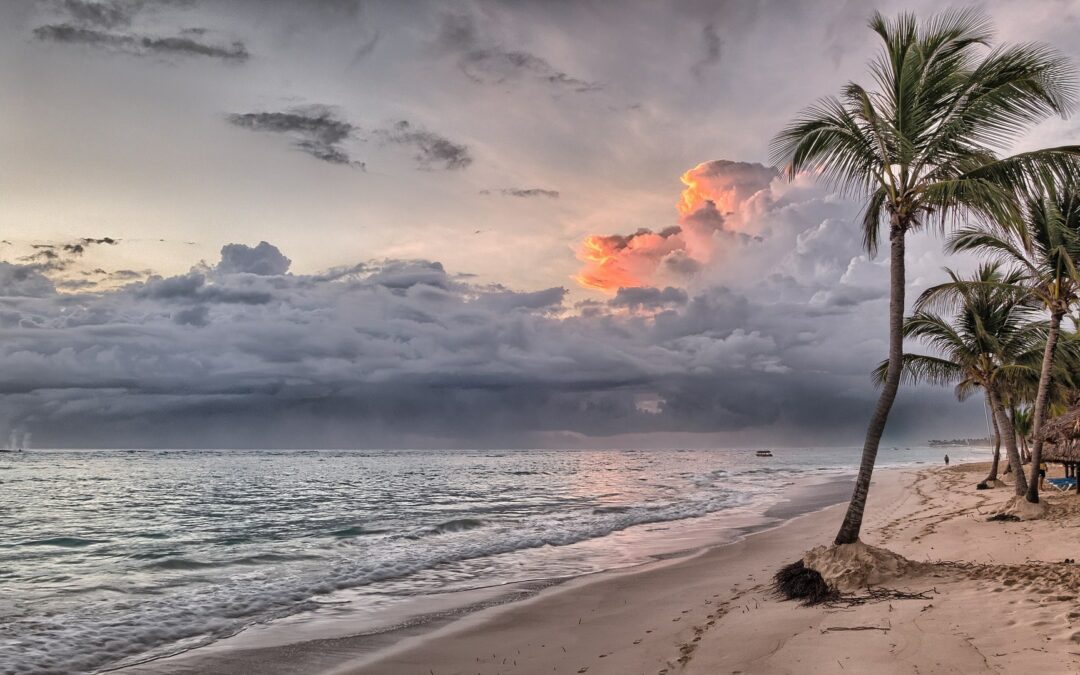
(113, 558)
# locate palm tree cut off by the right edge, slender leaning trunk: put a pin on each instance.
(1048, 250)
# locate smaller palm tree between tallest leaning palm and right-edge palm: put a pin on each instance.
(989, 344)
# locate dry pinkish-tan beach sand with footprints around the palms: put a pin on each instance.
(1010, 606)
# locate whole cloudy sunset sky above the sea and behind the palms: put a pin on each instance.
(477, 224)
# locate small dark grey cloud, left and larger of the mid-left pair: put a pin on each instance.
(316, 130)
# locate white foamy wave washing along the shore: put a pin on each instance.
(134, 626)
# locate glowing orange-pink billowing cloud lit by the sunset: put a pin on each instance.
(709, 208)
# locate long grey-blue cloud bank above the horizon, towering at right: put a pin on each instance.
(404, 354)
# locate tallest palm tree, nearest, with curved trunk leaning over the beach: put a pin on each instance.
(922, 148)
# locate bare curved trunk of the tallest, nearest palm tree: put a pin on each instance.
(854, 519)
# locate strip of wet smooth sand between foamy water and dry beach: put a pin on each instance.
(326, 651)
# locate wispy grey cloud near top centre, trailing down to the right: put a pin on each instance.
(489, 63)
